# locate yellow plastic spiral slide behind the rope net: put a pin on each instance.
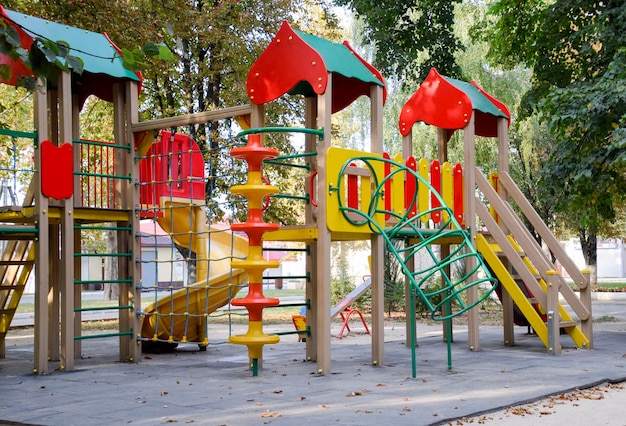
(180, 317)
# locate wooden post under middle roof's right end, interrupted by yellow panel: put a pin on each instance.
(377, 241)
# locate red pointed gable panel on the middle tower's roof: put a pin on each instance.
(279, 68)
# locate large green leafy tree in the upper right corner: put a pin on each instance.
(573, 48)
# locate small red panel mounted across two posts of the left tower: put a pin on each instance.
(57, 170)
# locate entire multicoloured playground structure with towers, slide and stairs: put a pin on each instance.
(350, 195)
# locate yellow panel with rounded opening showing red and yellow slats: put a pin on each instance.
(336, 220)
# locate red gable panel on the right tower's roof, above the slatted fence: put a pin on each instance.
(436, 102)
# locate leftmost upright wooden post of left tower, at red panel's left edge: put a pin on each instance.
(42, 265)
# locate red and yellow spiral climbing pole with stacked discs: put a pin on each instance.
(255, 191)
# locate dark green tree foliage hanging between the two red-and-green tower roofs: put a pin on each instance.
(410, 37)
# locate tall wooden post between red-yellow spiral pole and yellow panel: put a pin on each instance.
(322, 302)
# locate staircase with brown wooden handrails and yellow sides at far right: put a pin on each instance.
(515, 256)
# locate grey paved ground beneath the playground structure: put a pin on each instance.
(216, 388)
